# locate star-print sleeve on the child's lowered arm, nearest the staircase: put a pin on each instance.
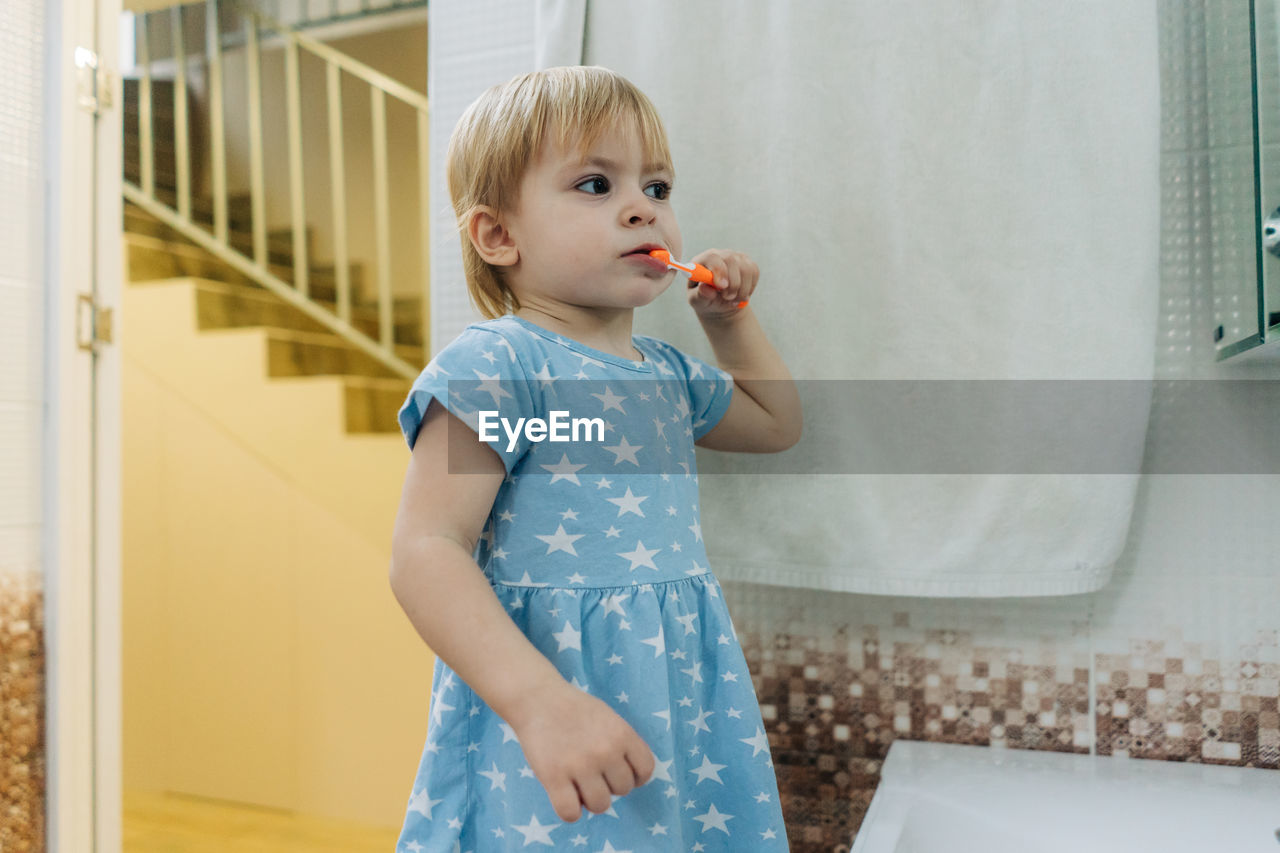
(478, 378)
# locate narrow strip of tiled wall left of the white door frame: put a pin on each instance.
(22, 399)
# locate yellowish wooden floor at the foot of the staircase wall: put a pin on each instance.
(181, 824)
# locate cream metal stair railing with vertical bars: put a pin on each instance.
(218, 244)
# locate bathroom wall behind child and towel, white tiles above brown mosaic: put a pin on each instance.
(1178, 659)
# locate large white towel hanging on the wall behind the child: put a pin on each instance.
(932, 190)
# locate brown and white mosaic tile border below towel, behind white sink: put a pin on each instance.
(833, 715)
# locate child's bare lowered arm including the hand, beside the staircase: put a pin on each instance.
(578, 747)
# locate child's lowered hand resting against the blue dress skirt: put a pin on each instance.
(580, 750)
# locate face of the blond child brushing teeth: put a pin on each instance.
(584, 226)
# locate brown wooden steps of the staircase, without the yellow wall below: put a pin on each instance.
(295, 345)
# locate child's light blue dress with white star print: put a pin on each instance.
(596, 550)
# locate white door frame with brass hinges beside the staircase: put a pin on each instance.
(83, 460)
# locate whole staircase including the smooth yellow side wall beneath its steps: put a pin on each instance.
(263, 469)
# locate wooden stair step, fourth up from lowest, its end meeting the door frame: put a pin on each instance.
(150, 258)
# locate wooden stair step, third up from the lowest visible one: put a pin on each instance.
(222, 307)
